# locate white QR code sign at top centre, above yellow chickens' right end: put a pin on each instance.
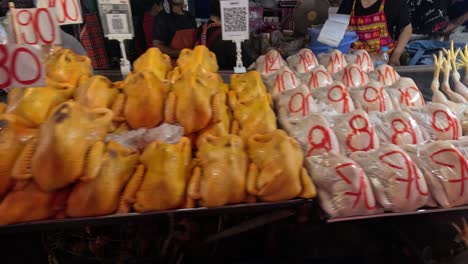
(235, 19)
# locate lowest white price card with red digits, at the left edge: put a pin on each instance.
(20, 66)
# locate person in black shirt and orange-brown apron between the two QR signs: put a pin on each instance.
(174, 31)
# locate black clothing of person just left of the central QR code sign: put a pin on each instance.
(225, 51)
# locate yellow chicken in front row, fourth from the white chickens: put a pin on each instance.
(100, 194)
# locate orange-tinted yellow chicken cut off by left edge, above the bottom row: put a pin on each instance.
(14, 136)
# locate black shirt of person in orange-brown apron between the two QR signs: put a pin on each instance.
(166, 25)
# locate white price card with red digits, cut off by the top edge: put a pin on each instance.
(67, 11)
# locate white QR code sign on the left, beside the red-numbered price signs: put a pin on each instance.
(116, 18)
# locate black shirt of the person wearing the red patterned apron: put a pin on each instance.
(396, 12)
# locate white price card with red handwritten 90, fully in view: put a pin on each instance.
(36, 26)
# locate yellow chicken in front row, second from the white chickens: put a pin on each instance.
(219, 177)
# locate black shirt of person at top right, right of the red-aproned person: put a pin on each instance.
(428, 16)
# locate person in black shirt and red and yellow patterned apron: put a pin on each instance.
(379, 23)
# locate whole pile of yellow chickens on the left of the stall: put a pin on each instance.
(54, 162)
